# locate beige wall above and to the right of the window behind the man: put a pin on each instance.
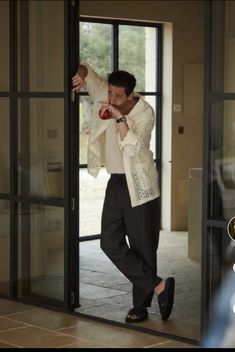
(187, 18)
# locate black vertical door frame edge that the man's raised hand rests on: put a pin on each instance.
(72, 275)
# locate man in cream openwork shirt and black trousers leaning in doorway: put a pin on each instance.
(131, 205)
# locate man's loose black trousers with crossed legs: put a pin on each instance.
(138, 260)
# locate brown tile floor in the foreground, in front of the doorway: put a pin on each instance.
(26, 326)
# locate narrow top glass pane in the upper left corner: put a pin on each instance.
(4, 49)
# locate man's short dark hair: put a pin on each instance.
(122, 78)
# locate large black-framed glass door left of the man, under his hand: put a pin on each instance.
(37, 192)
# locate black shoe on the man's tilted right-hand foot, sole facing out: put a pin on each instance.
(166, 298)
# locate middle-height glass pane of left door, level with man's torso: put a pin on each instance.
(41, 147)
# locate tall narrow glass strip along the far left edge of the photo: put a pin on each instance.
(5, 183)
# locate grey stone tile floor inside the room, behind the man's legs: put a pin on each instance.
(106, 293)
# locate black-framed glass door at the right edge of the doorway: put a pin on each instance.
(219, 149)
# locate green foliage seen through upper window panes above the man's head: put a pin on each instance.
(96, 49)
